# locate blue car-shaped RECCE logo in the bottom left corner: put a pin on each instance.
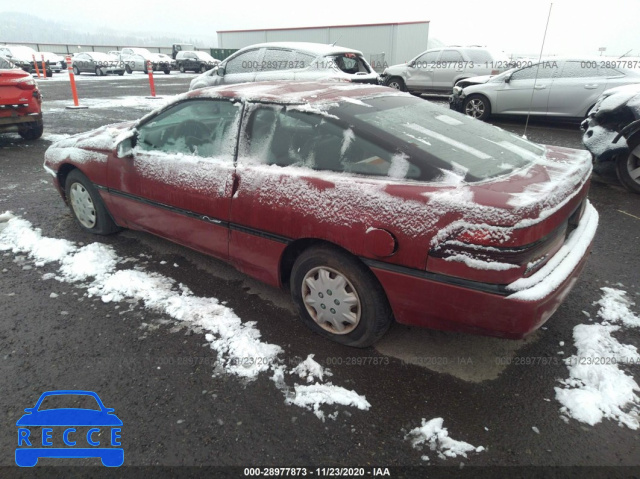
(99, 420)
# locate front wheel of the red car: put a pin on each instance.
(87, 206)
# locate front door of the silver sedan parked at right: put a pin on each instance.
(526, 90)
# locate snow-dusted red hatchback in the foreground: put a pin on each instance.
(370, 204)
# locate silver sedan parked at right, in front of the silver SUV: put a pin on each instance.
(552, 88)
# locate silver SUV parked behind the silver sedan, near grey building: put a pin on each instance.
(440, 69)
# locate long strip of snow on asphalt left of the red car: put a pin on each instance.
(239, 347)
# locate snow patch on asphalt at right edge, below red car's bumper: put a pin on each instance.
(598, 387)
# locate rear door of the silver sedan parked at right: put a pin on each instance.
(576, 89)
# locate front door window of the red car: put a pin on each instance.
(205, 128)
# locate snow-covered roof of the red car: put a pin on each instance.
(295, 92)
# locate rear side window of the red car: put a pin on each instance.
(281, 137)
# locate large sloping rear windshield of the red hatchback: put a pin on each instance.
(437, 138)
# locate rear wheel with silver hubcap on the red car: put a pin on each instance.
(372, 311)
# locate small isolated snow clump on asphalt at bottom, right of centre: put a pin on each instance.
(437, 438)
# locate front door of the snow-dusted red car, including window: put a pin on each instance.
(177, 181)
